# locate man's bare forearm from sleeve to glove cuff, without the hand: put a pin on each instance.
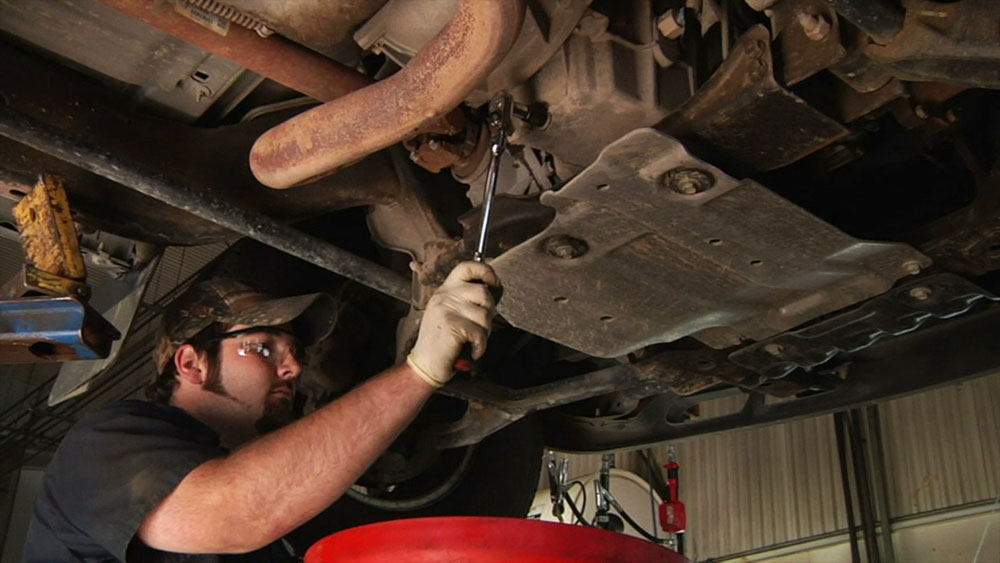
(275, 483)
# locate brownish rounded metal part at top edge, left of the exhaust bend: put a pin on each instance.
(321, 25)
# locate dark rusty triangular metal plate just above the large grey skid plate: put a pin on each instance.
(744, 118)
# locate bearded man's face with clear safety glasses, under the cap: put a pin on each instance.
(256, 372)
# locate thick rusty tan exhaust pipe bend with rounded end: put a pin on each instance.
(435, 81)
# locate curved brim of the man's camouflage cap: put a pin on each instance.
(311, 316)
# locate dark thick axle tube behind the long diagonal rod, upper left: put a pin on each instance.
(210, 161)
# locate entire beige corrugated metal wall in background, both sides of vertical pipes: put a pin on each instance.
(755, 488)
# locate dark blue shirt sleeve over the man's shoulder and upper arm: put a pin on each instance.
(118, 465)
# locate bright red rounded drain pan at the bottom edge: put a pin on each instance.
(484, 540)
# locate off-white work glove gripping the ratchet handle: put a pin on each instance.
(459, 312)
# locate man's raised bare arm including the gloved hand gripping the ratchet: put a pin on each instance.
(264, 490)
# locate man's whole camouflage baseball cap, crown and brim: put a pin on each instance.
(231, 302)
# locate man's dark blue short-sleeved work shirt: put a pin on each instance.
(112, 469)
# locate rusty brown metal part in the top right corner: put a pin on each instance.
(944, 41)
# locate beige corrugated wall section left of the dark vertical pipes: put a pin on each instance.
(763, 486)
